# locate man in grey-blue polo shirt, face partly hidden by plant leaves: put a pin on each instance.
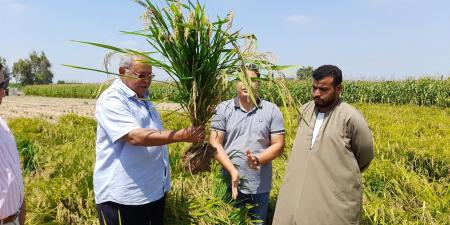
(248, 137)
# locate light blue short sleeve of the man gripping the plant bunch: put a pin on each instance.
(115, 117)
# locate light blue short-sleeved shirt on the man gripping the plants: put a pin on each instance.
(124, 173)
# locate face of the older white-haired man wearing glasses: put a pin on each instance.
(143, 74)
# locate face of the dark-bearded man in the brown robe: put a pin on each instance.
(324, 92)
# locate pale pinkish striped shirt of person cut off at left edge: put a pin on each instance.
(11, 183)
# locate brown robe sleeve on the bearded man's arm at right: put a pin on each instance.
(361, 141)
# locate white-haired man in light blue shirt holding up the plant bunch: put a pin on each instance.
(132, 171)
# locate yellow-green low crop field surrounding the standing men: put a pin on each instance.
(407, 183)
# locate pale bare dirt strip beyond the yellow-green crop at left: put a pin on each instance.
(53, 108)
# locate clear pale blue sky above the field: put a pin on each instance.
(367, 39)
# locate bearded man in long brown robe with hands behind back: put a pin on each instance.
(322, 184)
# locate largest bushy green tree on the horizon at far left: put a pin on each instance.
(34, 70)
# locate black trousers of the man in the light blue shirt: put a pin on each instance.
(109, 213)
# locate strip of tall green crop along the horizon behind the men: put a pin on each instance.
(425, 91)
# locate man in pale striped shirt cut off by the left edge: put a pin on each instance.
(12, 204)
